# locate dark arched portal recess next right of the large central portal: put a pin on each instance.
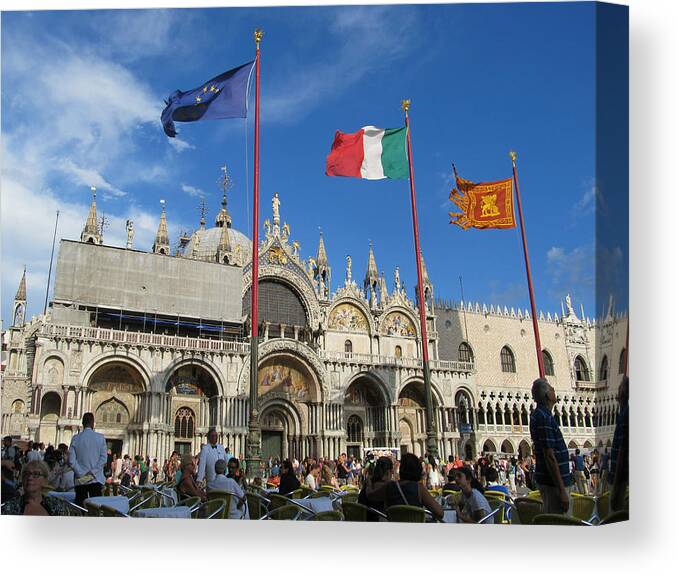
(365, 402)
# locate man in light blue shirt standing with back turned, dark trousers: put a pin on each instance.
(87, 456)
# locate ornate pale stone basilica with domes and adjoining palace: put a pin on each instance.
(156, 345)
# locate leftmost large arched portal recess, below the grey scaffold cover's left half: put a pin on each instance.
(113, 394)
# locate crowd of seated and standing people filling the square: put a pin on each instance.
(86, 467)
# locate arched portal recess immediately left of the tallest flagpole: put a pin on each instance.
(194, 390)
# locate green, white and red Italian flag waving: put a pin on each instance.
(371, 153)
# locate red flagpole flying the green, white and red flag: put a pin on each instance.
(431, 441)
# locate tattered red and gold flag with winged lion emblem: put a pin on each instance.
(483, 205)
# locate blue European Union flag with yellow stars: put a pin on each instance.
(222, 97)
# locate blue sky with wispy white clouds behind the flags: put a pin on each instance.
(83, 91)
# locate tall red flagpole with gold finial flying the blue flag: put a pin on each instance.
(254, 433)
